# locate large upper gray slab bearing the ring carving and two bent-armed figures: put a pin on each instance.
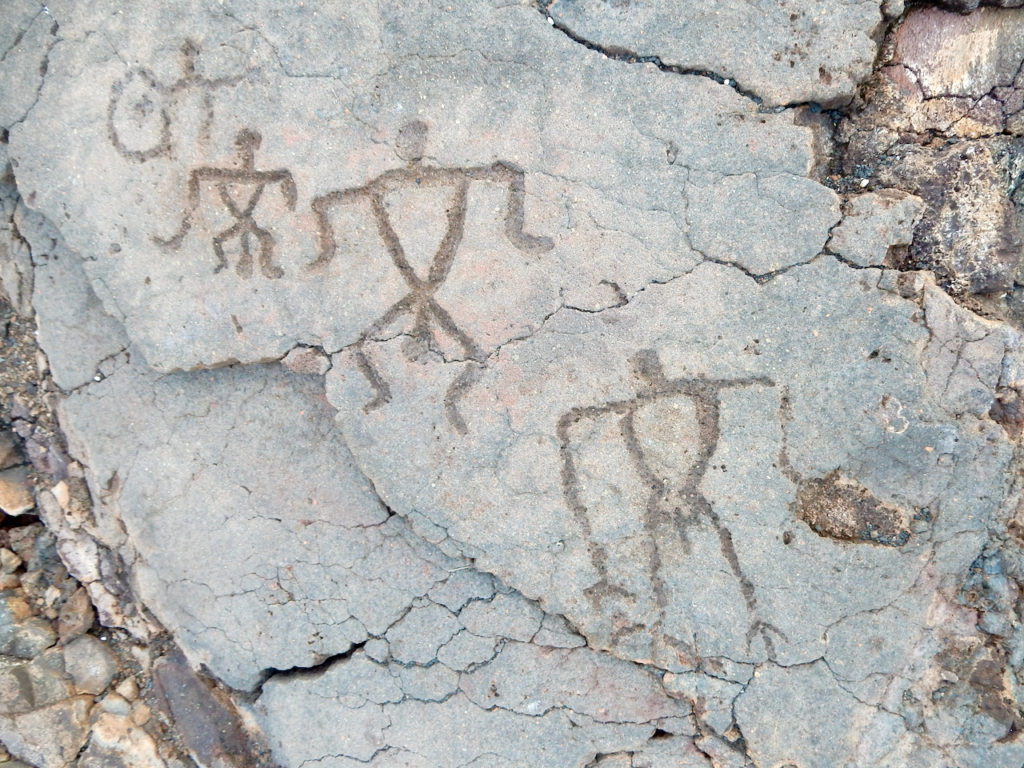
(182, 314)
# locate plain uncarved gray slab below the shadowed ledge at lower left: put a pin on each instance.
(327, 565)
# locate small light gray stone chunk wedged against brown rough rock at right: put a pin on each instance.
(875, 223)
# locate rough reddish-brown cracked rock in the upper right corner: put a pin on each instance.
(950, 78)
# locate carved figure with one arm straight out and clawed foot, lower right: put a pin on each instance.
(676, 503)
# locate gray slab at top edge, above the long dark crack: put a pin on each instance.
(802, 52)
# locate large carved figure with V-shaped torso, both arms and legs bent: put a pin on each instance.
(421, 304)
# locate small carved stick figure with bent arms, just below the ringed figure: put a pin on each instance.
(251, 184)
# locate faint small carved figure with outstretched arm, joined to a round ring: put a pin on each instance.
(142, 110)
